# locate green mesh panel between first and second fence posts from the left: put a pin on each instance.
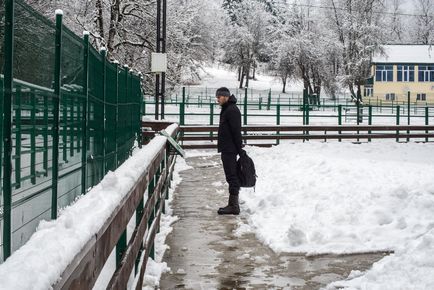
(33, 65)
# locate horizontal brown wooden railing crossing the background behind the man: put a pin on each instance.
(196, 137)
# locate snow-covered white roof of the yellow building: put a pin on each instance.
(405, 54)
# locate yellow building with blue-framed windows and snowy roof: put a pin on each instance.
(402, 69)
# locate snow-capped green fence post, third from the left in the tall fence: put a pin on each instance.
(84, 117)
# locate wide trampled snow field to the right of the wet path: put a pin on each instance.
(348, 198)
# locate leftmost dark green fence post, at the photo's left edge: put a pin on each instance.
(7, 126)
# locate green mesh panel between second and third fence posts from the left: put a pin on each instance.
(72, 101)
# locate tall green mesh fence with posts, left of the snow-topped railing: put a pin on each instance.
(69, 116)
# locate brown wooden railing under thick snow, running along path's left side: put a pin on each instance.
(84, 270)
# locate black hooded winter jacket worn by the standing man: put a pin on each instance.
(229, 134)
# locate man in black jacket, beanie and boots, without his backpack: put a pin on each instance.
(229, 144)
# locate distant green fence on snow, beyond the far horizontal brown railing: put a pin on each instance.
(310, 112)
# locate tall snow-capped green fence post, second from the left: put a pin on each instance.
(56, 108)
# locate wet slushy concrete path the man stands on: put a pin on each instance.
(206, 254)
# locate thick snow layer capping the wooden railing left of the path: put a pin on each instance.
(53, 246)
